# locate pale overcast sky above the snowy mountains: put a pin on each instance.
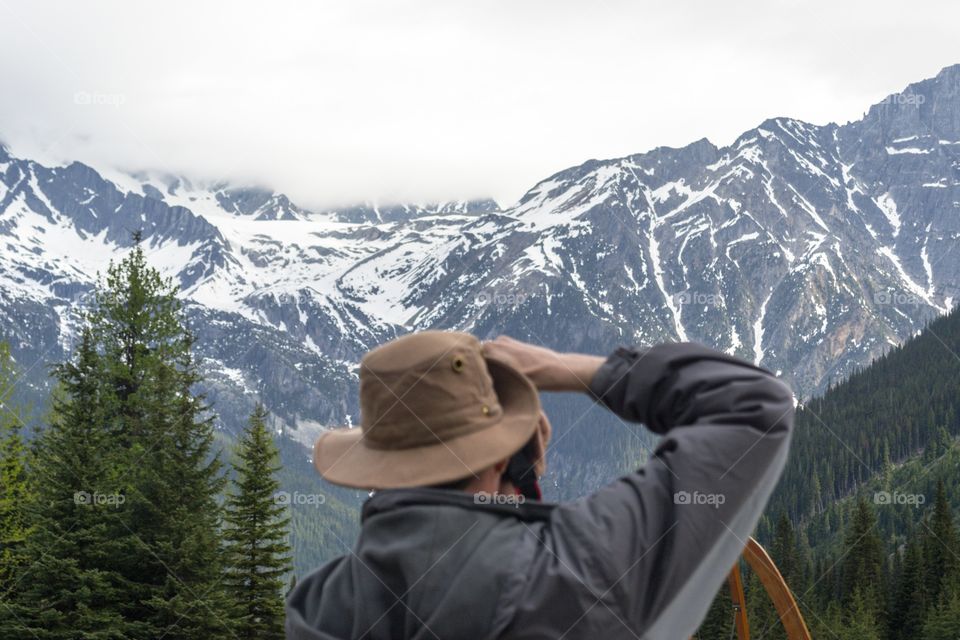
(337, 102)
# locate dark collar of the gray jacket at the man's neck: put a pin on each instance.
(391, 499)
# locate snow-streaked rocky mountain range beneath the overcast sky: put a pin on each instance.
(809, 249)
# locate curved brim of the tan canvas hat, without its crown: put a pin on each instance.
(343, 457)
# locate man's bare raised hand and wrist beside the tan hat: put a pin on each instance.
(546, 368)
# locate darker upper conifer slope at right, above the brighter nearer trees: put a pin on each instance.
(905, 404)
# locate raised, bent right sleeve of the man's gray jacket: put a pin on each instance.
(661, 540)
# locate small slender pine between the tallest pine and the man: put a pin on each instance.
(258, 551)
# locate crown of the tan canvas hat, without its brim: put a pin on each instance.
(424, 389)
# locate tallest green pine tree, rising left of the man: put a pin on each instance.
(174, 579)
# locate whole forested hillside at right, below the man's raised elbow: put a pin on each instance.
(862, 525)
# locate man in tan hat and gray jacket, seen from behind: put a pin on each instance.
(442, 418)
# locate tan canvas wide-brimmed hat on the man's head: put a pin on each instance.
(433, 409)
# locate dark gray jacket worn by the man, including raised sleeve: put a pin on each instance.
(641, 558)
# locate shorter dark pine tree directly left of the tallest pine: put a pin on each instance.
(73, 588)
